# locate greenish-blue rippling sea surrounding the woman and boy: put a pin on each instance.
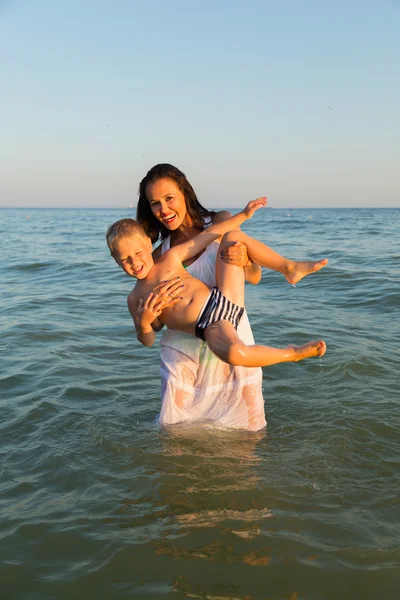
(97, 501)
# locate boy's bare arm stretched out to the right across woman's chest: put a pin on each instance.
(192, 247)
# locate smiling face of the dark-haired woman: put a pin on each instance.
(167, 203)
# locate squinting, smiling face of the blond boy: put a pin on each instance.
(134, 256)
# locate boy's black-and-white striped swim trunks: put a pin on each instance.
(218, 308)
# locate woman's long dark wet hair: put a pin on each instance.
(154, 229)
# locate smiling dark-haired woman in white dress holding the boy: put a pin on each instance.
(195, 385)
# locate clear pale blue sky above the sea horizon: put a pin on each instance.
(295, 100)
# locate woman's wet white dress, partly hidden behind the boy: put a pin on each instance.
(196, 386)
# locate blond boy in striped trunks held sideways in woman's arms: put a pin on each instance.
(210, 315)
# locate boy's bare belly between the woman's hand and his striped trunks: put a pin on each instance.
(184, 315)
